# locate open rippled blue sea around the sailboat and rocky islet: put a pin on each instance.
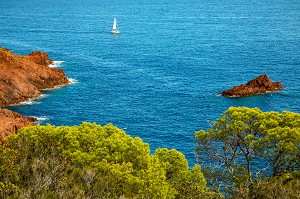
(159, 78)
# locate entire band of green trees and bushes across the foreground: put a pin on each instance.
(246, 154)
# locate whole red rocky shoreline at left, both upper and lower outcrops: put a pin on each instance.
(21, 79)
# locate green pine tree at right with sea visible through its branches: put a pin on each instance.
(252, 154)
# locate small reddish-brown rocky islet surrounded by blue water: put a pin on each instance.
(260, 85)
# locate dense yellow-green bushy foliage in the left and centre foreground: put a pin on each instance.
(93, 161)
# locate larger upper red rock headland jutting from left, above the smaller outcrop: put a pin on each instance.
(21, 77)
